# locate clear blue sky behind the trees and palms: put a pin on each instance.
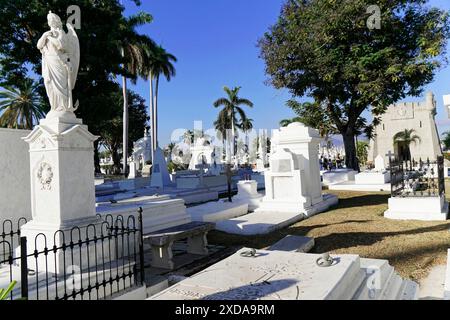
(215, 43)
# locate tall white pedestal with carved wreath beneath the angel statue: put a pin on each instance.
(62, 188)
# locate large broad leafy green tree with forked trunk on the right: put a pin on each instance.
(325, 50)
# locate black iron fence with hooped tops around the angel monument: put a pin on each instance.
(94, 261)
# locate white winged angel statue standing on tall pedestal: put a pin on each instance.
(60, 62)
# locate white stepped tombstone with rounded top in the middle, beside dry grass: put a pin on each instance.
(293, 180)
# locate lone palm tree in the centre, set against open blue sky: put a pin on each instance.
(228, 116)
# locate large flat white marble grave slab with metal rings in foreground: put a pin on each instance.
(280, 275)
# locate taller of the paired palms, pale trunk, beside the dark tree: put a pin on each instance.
(134, 50)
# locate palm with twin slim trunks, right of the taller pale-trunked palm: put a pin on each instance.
(161, 64)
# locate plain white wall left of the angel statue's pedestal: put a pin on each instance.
(15, 198)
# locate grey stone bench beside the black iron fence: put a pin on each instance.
(161, 242)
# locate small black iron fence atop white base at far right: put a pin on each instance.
(417, 178)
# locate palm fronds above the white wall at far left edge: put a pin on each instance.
(21, 107)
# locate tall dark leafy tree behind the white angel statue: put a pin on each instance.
(102, 30)
